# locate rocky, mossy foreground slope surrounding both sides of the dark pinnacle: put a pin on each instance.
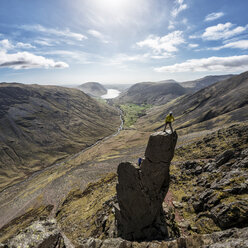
(209, 206)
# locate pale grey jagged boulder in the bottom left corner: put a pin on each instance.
(41, 234)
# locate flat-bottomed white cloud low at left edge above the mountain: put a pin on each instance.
(26, 60)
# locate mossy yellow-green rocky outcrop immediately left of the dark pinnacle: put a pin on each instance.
(89, 213)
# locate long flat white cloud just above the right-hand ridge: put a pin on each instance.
(232, 63)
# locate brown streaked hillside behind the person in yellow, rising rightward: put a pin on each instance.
(220, 103)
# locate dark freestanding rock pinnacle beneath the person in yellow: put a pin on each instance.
(141, 191)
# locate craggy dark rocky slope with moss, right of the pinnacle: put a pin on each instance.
(211, 189)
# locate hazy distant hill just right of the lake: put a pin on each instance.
(152, 93)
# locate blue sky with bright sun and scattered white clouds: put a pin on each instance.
(121, 41)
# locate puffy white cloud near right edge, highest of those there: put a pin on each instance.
(222, 31)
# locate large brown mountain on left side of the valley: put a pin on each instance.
(41, 124)
